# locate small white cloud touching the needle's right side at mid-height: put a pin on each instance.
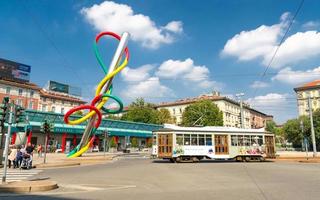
(138, 74)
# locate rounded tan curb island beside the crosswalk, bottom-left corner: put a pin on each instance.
(28, 186)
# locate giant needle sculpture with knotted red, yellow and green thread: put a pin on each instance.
(102, 95)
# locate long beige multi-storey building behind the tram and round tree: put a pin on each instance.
(230, 109)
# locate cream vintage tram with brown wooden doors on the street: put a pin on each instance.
(192, 144)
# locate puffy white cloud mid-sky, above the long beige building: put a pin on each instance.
(188, 72)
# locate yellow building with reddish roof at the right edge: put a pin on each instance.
(305, 91)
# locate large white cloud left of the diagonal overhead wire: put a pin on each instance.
(257, 43)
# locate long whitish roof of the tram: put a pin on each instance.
(173, 128)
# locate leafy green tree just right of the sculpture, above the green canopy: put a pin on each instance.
(141, 111)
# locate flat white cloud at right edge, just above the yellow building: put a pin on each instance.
(287, 75)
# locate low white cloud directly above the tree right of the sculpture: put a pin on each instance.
(150, 88)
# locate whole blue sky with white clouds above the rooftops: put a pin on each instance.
(178, 48)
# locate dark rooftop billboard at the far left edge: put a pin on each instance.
(14, 71)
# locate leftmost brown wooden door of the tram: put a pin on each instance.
(165, 145)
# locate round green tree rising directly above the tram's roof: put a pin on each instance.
(203, 113)
